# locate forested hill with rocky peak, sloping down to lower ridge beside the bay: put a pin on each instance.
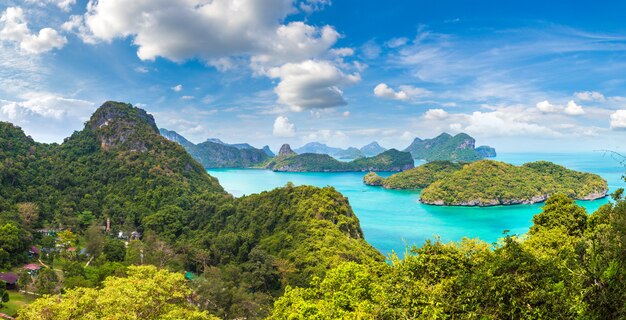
(120, 168)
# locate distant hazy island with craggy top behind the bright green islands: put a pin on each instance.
(458, 148)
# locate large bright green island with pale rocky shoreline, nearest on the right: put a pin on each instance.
(487, 182)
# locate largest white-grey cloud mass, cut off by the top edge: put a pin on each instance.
(209, 30)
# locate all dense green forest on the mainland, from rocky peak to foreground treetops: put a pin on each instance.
(290, 253)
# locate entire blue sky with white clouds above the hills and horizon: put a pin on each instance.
(520, 76)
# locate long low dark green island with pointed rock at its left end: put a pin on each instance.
(289, 161)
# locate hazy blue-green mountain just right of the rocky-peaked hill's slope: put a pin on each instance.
(214, 153)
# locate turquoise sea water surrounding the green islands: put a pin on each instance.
(393, 219)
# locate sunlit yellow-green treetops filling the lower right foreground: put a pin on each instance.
(569, 266)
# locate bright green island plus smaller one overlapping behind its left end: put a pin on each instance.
(491, 183)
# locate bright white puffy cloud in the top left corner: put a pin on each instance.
(14, 28)
